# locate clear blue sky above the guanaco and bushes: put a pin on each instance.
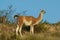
(52, 8)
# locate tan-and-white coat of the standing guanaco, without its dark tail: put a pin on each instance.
(30, 21)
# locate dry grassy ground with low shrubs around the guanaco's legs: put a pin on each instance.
(43, 31)
